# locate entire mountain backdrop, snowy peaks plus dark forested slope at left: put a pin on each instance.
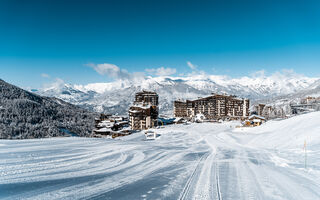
(63, 109)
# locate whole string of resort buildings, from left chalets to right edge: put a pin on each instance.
(144, 112)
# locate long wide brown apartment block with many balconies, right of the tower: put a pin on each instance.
(214, 107)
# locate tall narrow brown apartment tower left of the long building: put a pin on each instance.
(143, 114)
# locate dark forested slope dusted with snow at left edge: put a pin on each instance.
(27, 115)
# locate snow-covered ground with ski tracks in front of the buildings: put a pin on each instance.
(197, 161)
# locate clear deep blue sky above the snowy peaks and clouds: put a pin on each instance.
(44, 40)
